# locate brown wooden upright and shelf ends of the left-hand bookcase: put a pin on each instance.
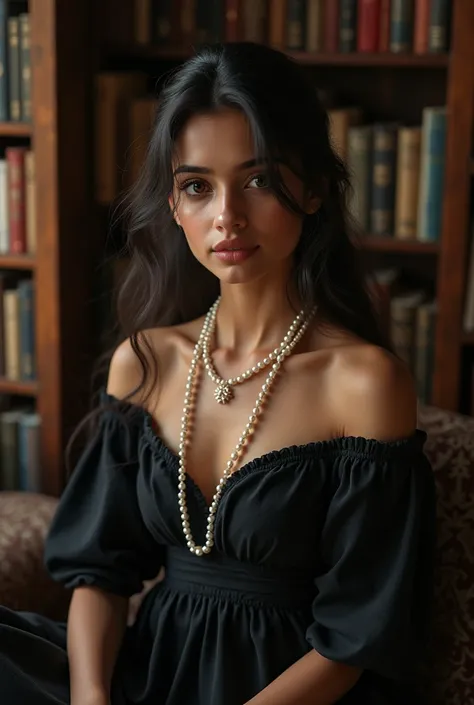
(60, 135)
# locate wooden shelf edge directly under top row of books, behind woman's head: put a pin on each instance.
(407, 60)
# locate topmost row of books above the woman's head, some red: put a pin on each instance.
(420, 26)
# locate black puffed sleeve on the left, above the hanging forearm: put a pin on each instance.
(97, 536)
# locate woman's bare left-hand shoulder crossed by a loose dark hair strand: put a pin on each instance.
(153, 351)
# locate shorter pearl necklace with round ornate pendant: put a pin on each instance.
(224, 393)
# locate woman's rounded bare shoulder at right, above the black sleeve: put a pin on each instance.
(373, 391)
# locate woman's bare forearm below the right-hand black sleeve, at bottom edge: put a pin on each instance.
(312, 680)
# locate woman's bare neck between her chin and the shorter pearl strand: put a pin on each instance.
(254, 317)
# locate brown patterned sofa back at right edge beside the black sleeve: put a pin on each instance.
(450, 448)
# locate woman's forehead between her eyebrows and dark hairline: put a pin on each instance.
(222, 137)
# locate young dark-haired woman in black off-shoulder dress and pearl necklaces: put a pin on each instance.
(257, 437)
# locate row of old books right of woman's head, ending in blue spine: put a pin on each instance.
(397, 172)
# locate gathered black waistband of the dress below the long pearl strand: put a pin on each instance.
(219, 575)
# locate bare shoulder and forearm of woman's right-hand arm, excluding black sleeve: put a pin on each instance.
(373, 397)
